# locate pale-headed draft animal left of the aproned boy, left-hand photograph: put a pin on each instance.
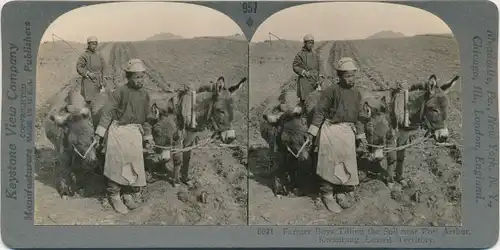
(70, 128)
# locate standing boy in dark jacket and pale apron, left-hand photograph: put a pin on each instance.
(124, 121)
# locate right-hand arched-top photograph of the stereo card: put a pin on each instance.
(355, 118)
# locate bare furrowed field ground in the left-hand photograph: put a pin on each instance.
(220, 173)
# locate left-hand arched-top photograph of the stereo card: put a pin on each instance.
(141, 117)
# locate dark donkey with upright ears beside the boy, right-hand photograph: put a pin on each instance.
(426, 109)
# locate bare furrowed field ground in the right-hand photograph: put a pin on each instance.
(434, 194)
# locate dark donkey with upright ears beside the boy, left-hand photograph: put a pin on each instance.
(212, 108)
